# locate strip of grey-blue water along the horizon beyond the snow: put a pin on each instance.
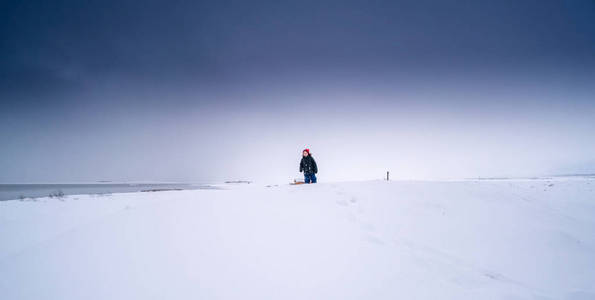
(20, 191)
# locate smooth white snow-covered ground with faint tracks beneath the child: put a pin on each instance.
(489, 239)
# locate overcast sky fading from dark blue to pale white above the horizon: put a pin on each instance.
(195, 90)
